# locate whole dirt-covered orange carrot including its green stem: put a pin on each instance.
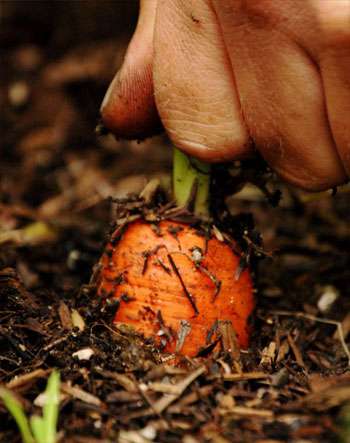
(174, 283)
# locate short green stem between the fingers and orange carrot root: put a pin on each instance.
(191, 175)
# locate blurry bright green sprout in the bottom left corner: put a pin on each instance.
(37, 429)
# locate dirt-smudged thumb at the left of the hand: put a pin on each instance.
(128, 108)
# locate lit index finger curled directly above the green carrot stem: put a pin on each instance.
(194, 86)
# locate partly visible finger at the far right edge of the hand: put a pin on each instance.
(335, 70)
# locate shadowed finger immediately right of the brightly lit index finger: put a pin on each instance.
(281, 95)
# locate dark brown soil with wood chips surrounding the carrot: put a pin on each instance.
(56, 182)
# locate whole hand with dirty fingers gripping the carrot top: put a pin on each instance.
(223, 75)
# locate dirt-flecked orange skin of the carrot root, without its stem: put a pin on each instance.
(156, 287)
